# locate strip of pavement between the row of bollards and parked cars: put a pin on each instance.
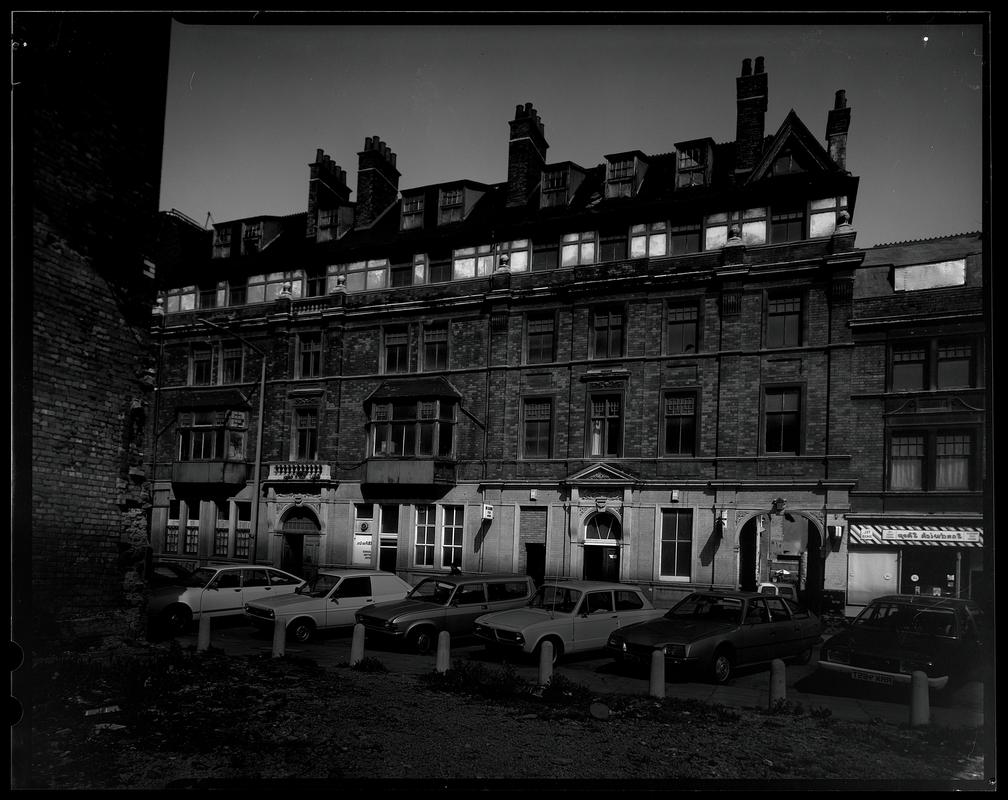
(961, 708)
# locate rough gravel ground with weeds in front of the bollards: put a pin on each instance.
(201, 721)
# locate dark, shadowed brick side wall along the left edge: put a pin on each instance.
(88, 127)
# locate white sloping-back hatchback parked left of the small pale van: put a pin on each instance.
(217, 591)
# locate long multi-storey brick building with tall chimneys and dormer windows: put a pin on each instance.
(639, 370)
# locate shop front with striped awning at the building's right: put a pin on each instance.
(941, 562)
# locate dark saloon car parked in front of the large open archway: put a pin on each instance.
(717, 631)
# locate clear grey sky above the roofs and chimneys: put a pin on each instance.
(248, 106)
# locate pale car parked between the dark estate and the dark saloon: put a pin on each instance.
(573, 615)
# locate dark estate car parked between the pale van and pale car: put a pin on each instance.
(447, 603)
